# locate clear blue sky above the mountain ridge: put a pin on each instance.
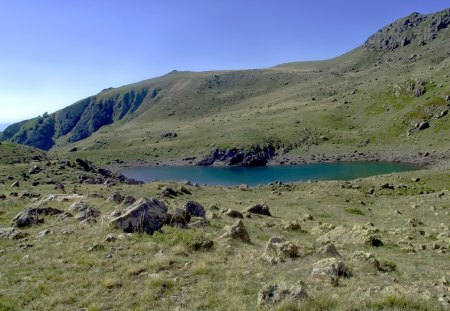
(55, 52)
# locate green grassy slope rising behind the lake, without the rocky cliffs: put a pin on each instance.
(288, 105)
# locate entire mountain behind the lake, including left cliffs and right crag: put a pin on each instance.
(388, 93)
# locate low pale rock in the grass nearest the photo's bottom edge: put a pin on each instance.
(276, 293)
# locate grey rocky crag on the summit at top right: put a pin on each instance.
(415, 28)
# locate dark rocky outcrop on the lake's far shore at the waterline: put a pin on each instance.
(250, 158)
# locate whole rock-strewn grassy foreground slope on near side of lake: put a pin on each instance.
(380, 243)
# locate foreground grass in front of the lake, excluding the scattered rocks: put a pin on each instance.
(162, 272)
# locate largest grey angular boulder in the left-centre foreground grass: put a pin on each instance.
(145, 214)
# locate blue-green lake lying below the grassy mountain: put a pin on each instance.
(252, 176)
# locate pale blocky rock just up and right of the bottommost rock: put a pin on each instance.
(327, 271)
